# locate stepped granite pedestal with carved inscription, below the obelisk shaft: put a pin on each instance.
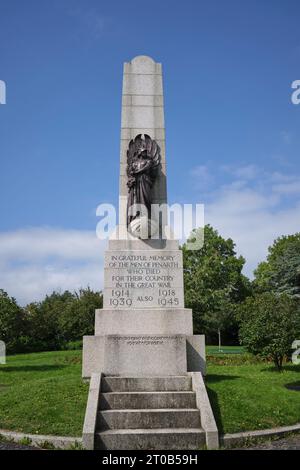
(143, 329)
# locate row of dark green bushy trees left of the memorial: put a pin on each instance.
(51, 324)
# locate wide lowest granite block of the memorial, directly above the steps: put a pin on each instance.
(143, 355)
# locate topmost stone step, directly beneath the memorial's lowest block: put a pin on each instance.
(146, 384)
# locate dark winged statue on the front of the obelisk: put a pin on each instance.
(143, 161)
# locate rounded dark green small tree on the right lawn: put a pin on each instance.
(269, 324)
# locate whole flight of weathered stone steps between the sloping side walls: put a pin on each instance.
(148, 413)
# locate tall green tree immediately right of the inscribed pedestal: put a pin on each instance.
(214, 283)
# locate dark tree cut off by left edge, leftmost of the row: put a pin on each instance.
(13, 323)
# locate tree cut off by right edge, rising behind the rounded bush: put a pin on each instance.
(281, 271)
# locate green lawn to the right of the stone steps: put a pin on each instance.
(247, 397)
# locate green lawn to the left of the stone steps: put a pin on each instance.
(43, 393)
